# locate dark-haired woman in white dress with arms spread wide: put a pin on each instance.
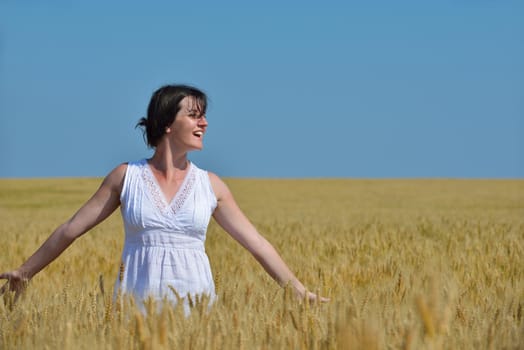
(166, 203)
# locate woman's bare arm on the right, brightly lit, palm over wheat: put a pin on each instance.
(229, 216)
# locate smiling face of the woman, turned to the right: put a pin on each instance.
(189, 126)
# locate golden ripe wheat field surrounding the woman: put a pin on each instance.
(407, 264)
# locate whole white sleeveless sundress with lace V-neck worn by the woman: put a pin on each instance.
(164, 242)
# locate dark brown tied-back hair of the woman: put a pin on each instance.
(163, 107)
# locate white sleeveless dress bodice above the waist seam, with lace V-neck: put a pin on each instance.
(150, 220)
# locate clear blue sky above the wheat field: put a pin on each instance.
(368, 89)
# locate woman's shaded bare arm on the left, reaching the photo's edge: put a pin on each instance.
(104, 202)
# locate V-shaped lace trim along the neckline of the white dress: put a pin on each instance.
(156, 194)
